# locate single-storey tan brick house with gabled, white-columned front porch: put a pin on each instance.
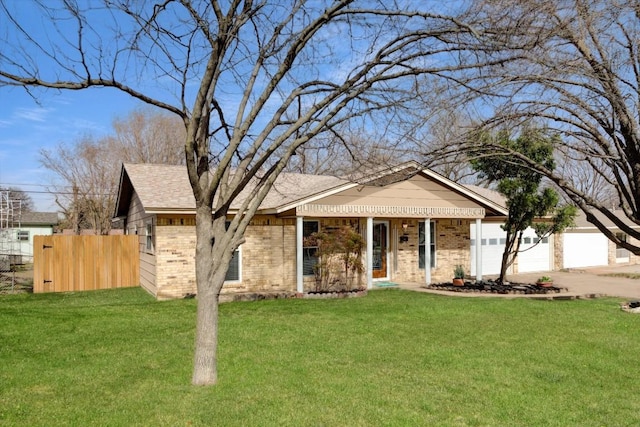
(409, 218)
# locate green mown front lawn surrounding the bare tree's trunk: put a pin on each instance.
(395, 357)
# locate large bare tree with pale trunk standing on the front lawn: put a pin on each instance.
(248, 79)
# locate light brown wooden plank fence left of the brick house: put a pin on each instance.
(83, 263)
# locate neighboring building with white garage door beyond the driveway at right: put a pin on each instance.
(585, 246)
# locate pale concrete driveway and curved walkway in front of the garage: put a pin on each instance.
(580, 283)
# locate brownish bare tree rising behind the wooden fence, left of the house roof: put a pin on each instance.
(87, 170)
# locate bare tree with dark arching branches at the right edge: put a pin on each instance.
(572, 66)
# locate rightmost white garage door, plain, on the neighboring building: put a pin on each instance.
(585, 250)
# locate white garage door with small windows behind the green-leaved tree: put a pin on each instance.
(536, 258)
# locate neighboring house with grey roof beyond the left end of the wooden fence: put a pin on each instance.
(18, 240)
